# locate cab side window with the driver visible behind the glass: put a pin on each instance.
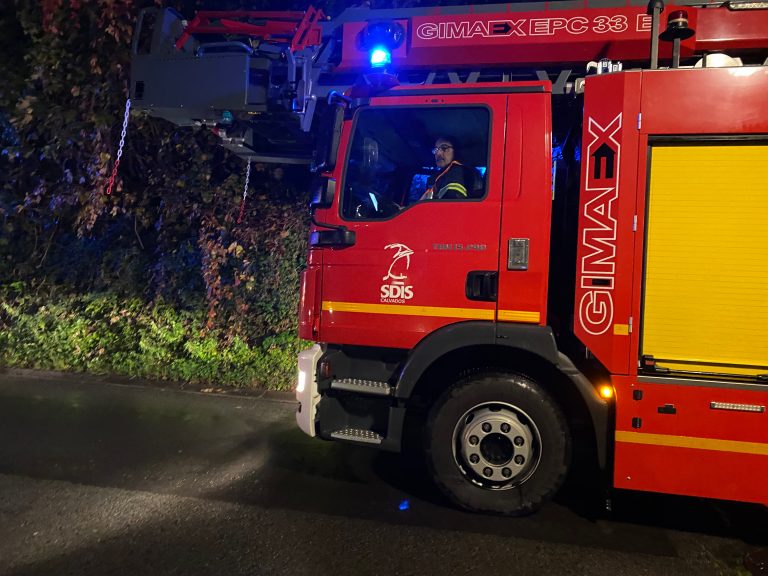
(400, 156)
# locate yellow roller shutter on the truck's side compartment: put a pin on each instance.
(706, 275)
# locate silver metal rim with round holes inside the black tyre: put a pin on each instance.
(496, 446)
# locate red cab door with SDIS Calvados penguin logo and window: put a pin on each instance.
(414, 265)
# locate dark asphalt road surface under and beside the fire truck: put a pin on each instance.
(97, 478)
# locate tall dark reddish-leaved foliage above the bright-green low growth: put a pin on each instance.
(170, 230)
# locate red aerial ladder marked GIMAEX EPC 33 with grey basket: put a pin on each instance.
(260, 78)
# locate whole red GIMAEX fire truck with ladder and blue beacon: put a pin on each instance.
(600, 284)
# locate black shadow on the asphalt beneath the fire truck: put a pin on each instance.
(363, 483)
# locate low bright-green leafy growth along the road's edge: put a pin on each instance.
(106, 334)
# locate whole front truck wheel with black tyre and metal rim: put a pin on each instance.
(497, 443)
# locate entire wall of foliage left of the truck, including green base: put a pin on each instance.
(168, 239)
